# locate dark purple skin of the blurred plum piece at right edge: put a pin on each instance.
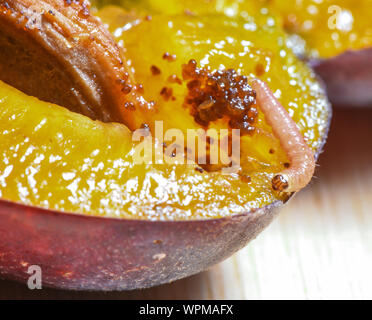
(348, 78)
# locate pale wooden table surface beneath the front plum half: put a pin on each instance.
(319, 247)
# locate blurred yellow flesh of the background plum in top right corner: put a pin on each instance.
(329, 27)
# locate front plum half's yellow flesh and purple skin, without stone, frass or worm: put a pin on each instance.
(74, 203)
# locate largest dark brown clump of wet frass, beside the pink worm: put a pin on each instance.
(222, 93)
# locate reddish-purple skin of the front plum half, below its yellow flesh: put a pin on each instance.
(79, 252)
